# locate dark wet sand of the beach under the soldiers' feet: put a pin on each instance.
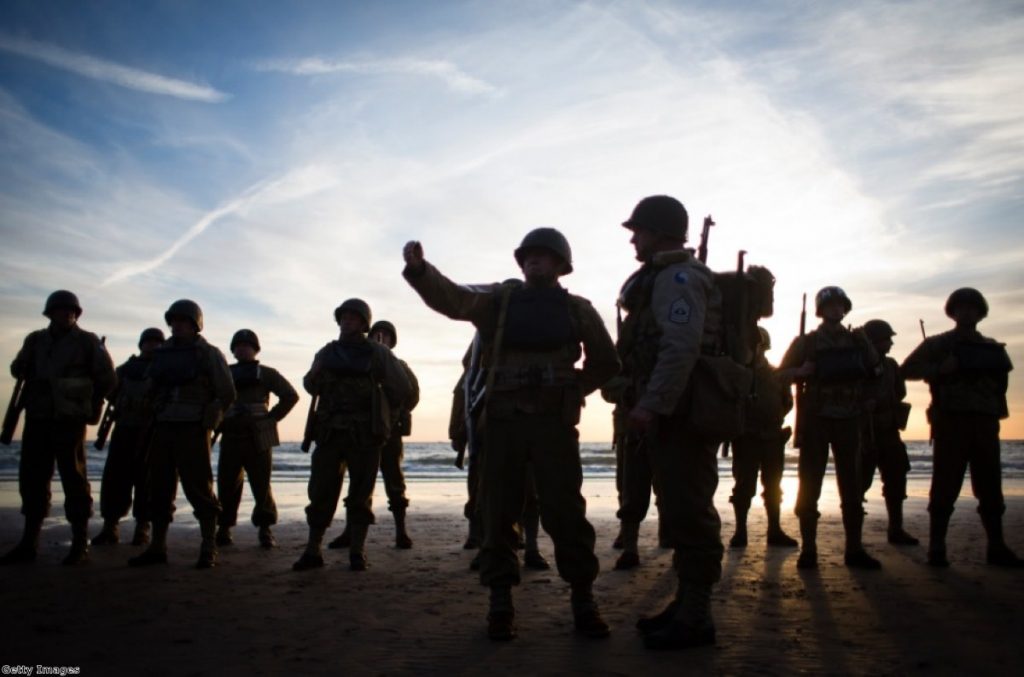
(421, 611)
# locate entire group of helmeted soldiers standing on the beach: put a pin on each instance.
(678, 391)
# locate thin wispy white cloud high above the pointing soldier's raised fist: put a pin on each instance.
(453, 76)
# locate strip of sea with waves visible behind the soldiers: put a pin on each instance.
(436, 461)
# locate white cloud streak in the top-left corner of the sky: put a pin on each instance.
(99, 69)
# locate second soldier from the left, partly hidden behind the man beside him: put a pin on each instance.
(125, 468)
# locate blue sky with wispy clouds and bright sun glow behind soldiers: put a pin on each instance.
(270, 160)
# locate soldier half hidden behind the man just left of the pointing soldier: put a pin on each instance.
(394, 452)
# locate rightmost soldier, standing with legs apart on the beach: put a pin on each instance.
(968, 375)
